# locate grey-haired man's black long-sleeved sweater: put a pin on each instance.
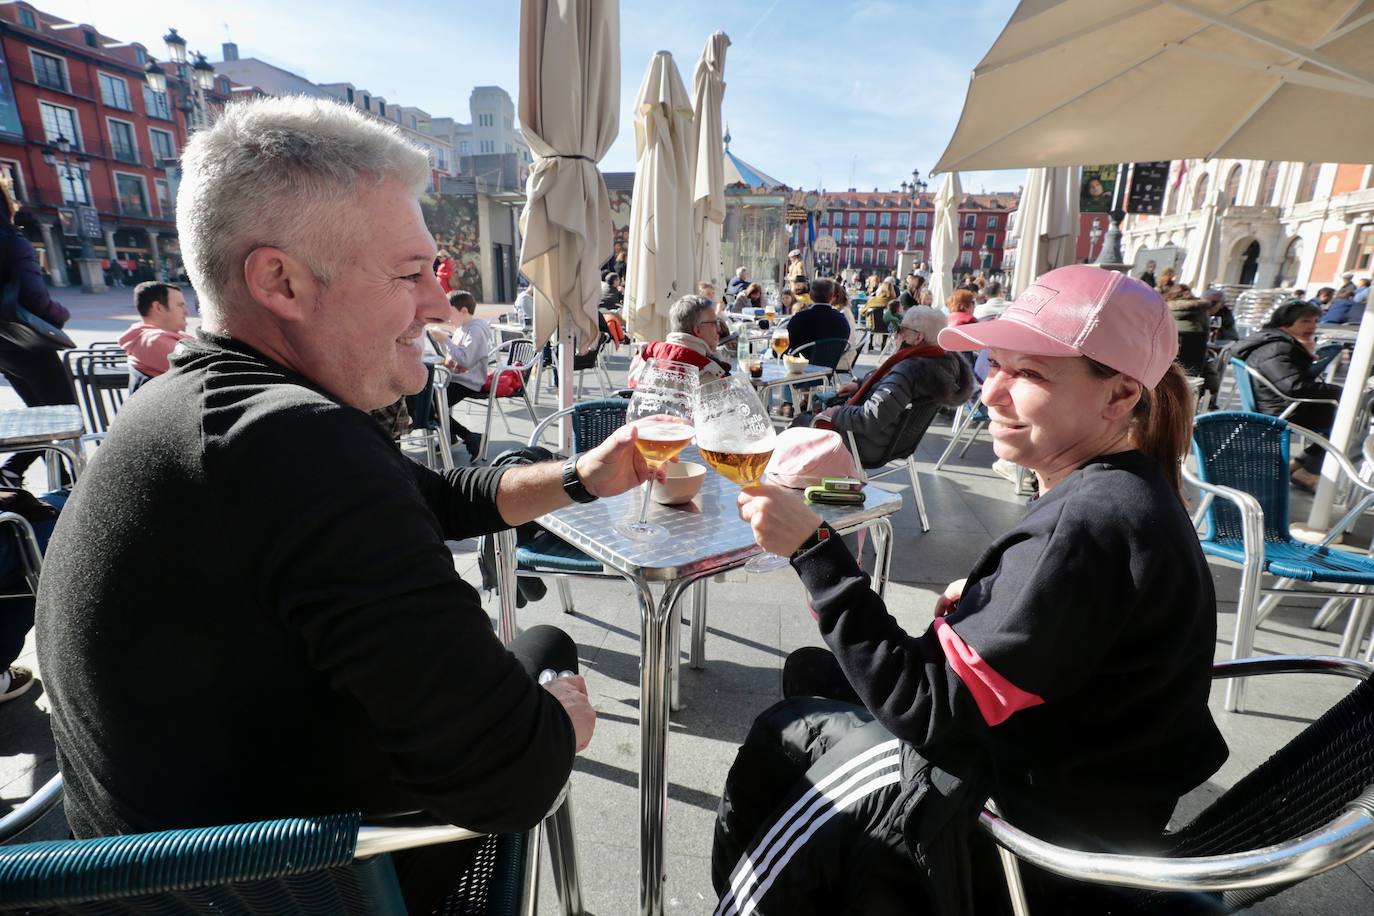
(248, 612)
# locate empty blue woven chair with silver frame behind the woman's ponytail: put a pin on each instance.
(1244, 459)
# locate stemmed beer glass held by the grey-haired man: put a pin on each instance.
(662, 413)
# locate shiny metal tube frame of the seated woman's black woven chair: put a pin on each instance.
(1344, 838)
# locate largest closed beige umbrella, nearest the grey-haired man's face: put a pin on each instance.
(570, 102)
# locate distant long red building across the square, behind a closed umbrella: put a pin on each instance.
(872, 229)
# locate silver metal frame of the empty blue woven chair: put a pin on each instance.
(1251, 612)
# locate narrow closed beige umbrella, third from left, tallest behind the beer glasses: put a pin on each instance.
(708, 167)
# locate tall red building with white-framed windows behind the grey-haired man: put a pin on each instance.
(68, 82)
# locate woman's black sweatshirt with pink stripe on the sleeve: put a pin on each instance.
(1097, 612)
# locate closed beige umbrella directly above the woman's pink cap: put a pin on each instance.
(1048, 225)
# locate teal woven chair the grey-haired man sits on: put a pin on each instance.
(333, 866)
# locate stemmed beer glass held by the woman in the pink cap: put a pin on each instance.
(736, 437)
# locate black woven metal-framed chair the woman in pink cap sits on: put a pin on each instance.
(1306, 811)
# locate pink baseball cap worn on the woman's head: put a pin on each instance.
(1082, 311)
